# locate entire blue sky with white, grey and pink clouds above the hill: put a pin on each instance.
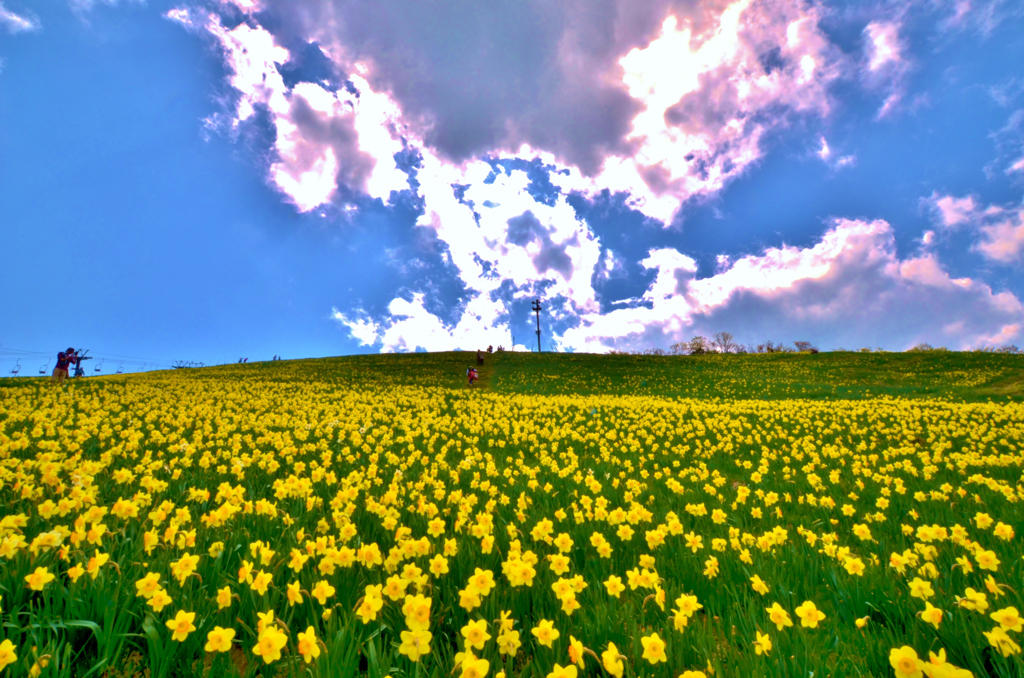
(209, 180)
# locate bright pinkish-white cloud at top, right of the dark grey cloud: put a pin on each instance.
(709, 99)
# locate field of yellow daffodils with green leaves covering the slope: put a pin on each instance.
(346, 519)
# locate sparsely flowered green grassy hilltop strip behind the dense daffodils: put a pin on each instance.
(967, 377)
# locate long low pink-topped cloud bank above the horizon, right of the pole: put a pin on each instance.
(849, 287)
